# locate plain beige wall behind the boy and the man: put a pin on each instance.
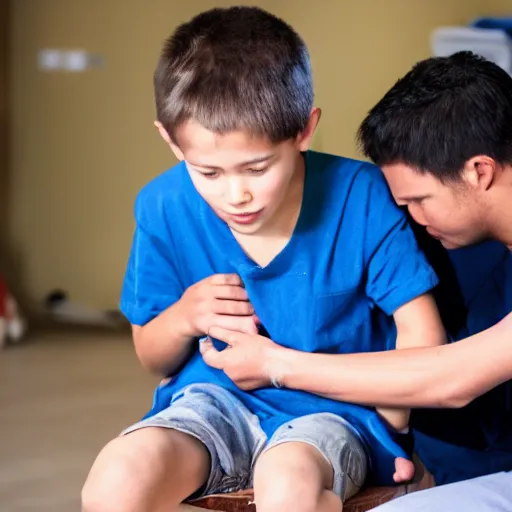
(83, 145)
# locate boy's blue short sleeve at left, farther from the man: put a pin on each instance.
(151, 283)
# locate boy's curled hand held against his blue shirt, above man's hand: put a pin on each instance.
(219, 300)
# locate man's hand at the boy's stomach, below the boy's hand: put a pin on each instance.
(250, 361)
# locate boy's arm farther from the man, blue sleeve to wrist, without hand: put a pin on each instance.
(152, 289)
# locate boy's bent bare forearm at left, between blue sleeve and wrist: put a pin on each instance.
(163, 344)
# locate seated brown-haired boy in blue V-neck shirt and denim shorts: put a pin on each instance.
(252, 232)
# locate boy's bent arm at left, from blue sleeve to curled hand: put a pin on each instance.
(166, 315)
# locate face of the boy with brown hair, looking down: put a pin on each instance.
(249, 182)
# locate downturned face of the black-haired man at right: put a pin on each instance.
(452, 212)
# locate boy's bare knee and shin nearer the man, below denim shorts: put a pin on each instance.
(294, 476)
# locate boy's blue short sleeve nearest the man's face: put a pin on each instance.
(397, 269)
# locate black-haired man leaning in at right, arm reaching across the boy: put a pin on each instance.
(443, 138)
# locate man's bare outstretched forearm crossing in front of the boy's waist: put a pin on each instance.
(445, 376)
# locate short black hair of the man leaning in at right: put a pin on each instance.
(442, 113)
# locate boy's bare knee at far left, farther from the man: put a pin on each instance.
(149, 470)
